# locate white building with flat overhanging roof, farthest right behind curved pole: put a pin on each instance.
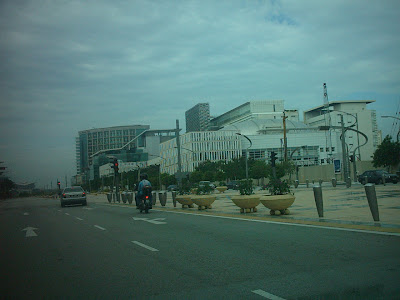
(356, 116)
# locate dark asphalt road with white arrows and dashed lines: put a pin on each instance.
(102, 251)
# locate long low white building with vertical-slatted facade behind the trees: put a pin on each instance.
(305, 144)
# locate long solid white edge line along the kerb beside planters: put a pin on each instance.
(284, 223)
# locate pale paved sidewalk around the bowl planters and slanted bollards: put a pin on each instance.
(344, 206)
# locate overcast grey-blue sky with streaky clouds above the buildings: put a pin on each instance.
(74, 65)
